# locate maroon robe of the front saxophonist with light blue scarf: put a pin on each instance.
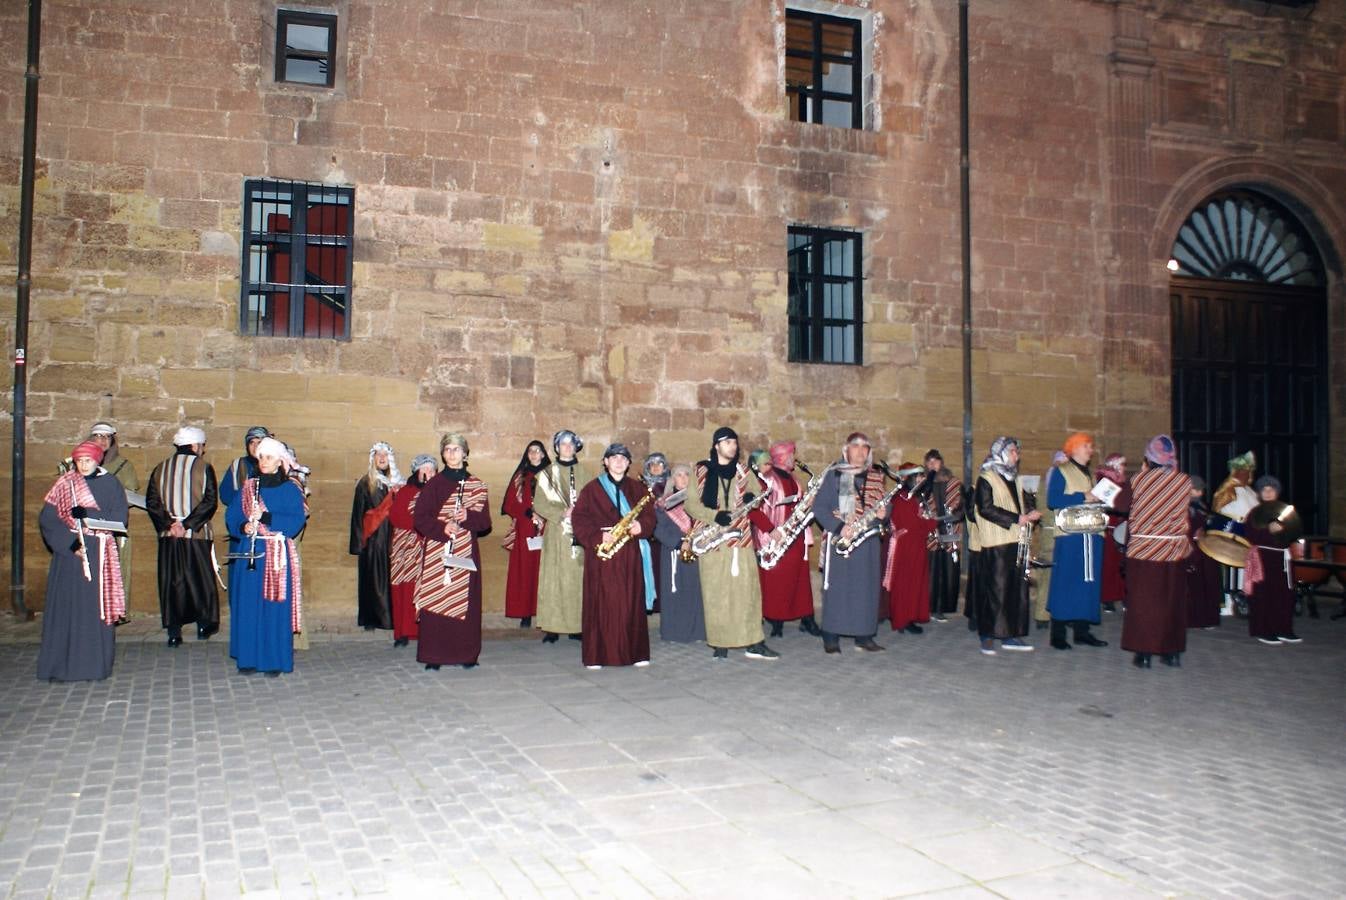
(614, 626)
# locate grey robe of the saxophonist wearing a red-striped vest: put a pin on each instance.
(851, 585)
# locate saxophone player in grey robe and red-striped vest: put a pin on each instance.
(851, 493)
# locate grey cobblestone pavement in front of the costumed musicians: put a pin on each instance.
(924, 770)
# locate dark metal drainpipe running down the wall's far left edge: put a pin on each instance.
(21, 318)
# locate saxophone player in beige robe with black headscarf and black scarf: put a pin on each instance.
(730, 591)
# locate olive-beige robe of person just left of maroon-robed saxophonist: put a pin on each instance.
(561, 575)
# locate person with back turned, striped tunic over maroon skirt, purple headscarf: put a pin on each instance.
(1157, 558)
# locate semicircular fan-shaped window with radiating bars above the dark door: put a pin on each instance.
(1244, 236)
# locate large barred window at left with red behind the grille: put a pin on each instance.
(297, 259)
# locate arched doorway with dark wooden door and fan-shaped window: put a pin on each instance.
(1250, 346)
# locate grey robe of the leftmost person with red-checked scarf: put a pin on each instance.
(76, 644)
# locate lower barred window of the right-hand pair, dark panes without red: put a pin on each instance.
(826, 303)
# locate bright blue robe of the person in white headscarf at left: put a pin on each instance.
(260, 636)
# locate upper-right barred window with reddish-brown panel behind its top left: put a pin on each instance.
(823, 77)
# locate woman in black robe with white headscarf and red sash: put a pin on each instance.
(372, 537)
